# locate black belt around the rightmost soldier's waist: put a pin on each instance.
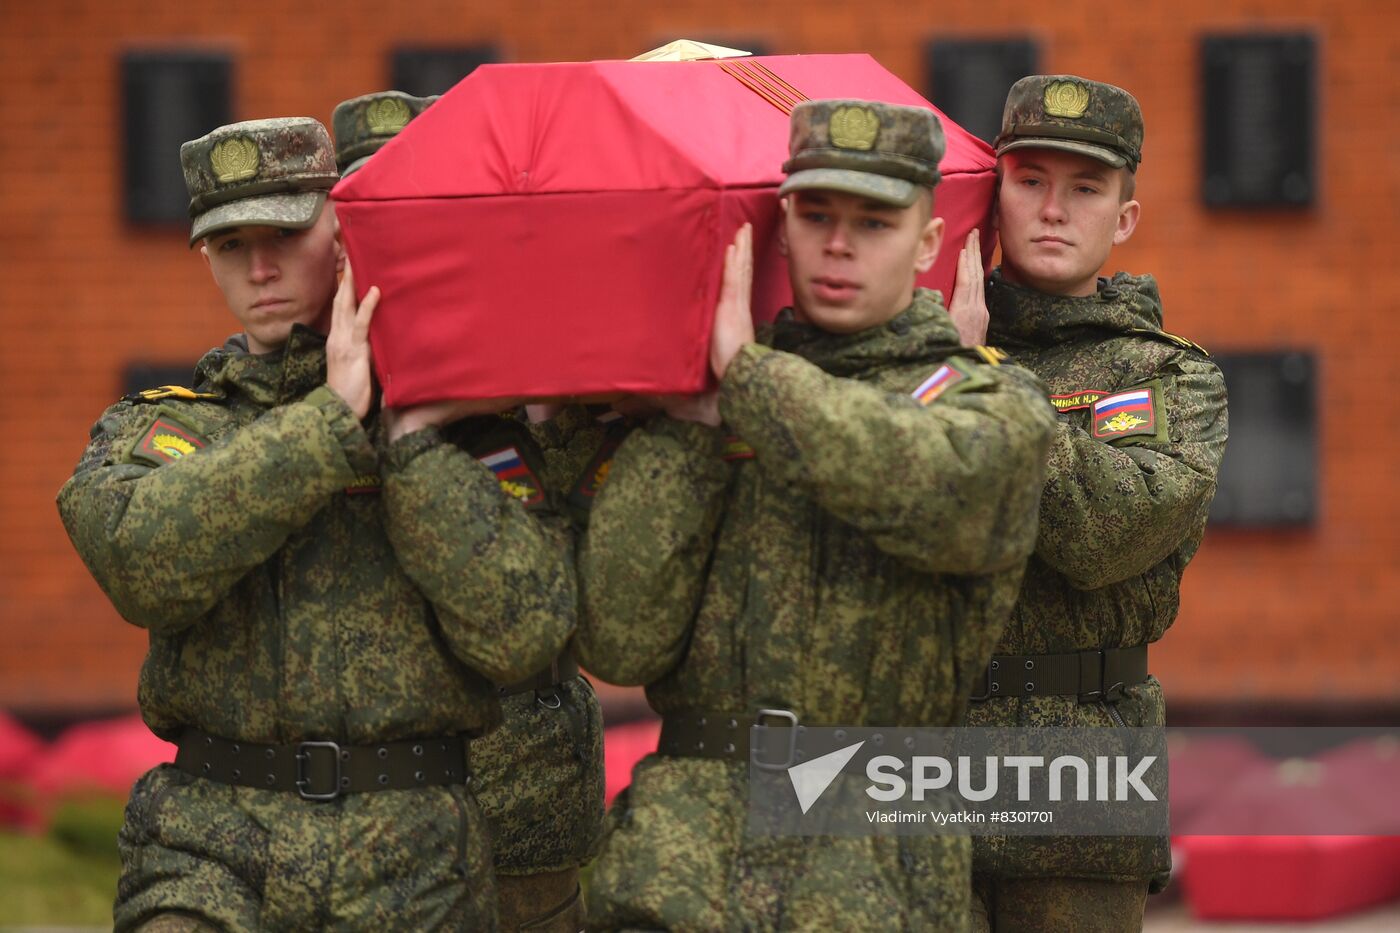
(1090, 676)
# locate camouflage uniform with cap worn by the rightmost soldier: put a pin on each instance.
(1123, 512)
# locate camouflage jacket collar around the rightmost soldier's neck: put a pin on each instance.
(1027, 319)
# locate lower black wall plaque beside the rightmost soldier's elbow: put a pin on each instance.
(1270, 471)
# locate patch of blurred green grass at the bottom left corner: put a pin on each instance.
(66, 878)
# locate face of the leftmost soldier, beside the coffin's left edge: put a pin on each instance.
(274, 278)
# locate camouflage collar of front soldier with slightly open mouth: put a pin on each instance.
(920, 333)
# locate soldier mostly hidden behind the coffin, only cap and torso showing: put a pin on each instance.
(540, 777)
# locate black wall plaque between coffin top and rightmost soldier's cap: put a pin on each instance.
(969, 79)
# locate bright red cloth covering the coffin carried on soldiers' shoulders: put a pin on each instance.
(559, 229)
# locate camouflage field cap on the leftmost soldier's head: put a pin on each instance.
(272, 173)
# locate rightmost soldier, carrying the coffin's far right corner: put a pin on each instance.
(1130, 480)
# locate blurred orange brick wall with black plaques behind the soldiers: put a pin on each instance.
(1269, 186)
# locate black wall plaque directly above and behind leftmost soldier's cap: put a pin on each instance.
(167, 97)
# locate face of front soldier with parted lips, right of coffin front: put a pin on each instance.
(852, 260)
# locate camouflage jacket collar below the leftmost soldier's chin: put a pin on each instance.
(269, 379)
